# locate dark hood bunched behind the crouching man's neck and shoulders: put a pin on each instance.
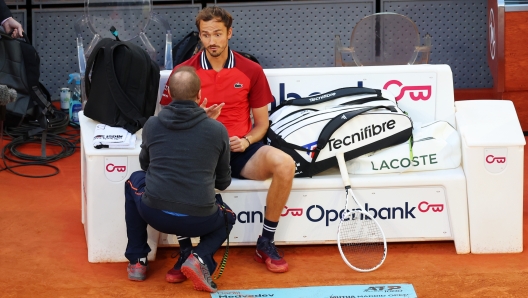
(181, 114)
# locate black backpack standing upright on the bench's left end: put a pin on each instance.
(123, 88)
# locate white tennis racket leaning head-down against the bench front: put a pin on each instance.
(360, 239)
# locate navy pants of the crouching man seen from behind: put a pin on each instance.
(211, 229)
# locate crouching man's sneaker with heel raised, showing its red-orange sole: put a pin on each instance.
(195, 269)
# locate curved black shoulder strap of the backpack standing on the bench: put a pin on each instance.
(128, 109)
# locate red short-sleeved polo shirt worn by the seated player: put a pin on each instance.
(241, 85)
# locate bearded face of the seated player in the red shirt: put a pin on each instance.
(214, 36)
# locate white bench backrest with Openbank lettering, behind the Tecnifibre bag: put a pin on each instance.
(417, 88)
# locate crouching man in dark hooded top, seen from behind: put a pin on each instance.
(184, 157)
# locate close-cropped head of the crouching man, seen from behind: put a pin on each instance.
(184, 84)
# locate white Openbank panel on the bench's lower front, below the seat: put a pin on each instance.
(418, 212)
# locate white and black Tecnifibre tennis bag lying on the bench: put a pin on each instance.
(352, 120)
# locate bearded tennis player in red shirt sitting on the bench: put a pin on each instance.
(235, 88)
